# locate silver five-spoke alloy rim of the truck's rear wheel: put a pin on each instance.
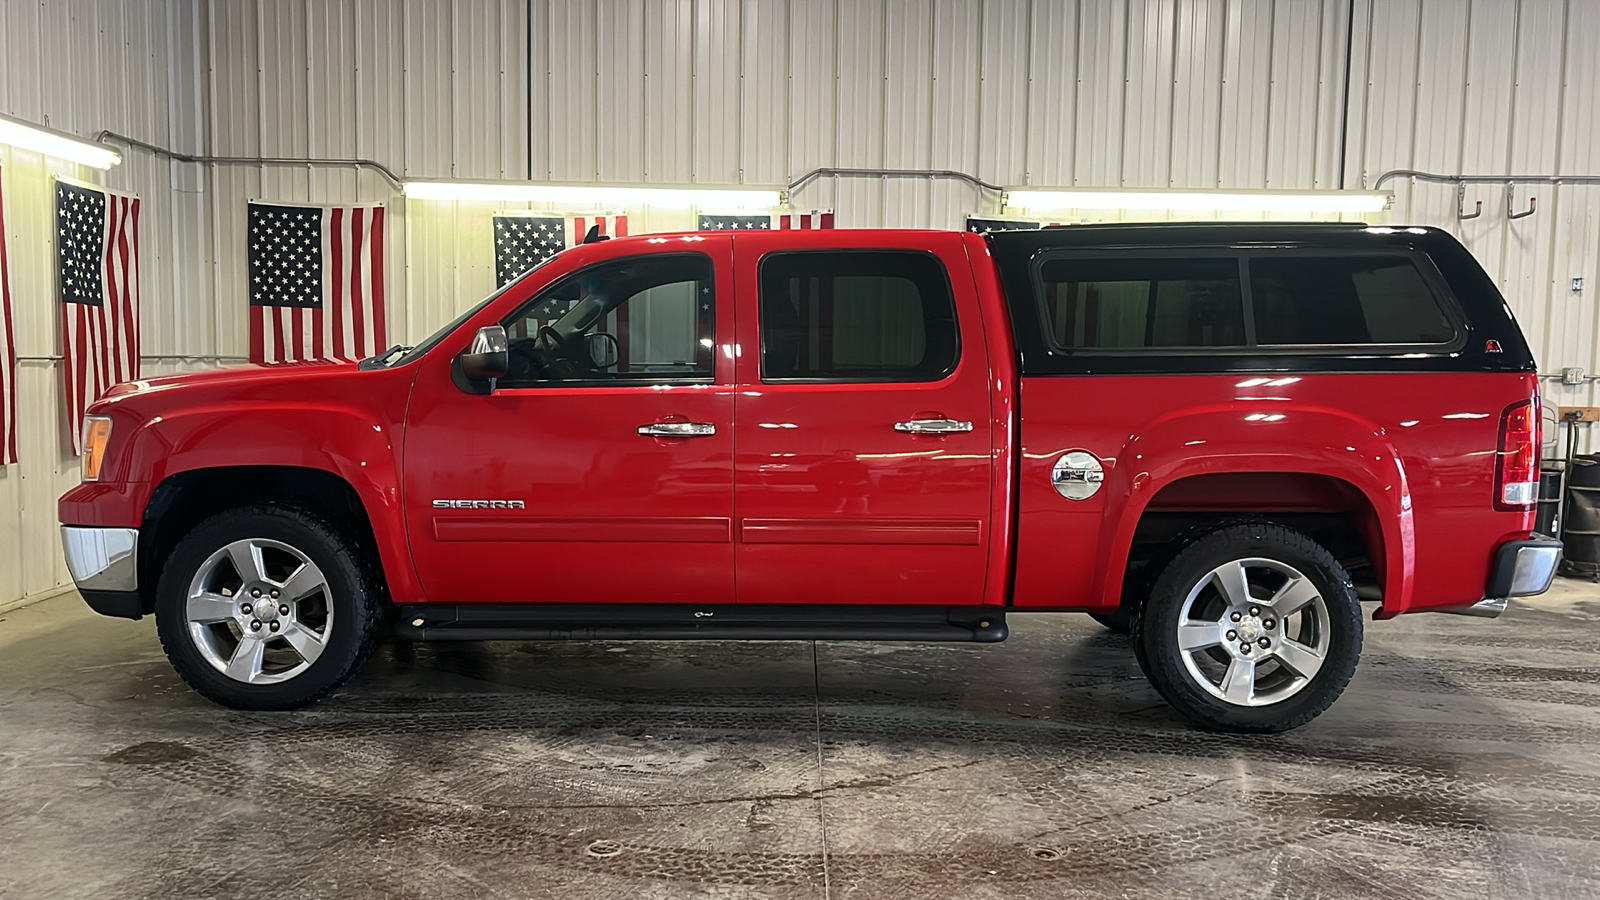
(1254, 632)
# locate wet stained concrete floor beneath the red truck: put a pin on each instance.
(1462, 763)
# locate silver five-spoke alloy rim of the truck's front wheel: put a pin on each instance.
(260, 611)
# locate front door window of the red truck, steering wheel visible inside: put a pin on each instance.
(638, 319)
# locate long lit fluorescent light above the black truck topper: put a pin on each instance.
(1202, 201)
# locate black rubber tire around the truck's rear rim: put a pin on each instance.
(1156, 629)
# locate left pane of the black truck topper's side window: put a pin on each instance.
(1145, 303)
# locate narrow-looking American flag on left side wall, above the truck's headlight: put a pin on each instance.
(98, 271)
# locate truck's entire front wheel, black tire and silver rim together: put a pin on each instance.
(266, 609)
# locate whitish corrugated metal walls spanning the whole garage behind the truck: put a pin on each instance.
(1201, 94)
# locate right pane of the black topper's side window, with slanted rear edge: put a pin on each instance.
(1345, 300)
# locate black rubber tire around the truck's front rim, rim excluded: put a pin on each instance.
(351, 598)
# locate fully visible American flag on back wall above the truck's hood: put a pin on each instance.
(316, 284)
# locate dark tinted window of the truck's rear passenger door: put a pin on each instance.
(857, 316)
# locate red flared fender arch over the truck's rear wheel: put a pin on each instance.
(1286, 438)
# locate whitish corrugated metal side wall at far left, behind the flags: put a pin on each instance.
(81, 68)
